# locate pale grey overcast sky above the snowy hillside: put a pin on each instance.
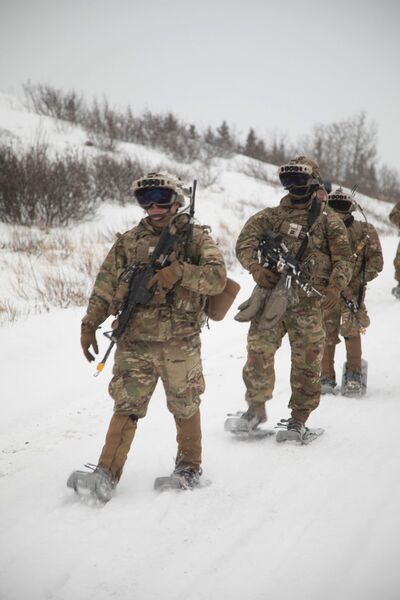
(279, 66)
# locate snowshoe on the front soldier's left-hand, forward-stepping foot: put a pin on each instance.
(96, 484)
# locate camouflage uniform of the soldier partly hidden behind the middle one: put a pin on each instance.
(366, 247)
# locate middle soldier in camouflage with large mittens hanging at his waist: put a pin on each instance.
(304, 221)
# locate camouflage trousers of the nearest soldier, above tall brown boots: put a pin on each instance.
(139, 365)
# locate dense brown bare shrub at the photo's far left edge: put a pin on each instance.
(37, 190)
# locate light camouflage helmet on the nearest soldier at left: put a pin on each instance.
(159, 181)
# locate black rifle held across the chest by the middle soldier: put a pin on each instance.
(276, 256)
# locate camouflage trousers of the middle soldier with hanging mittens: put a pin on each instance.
(304, 326)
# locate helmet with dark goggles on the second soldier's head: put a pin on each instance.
(300, 176)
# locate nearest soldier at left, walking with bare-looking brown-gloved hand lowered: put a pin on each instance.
(162, 339)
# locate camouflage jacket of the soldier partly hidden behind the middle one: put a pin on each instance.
(365, 246)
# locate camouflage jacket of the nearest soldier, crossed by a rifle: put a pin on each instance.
(175, 314)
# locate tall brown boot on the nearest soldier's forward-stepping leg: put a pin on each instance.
(120, 434)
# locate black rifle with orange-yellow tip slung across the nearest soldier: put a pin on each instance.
(137, 280)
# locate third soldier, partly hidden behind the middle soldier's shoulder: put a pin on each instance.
(349, 316)
